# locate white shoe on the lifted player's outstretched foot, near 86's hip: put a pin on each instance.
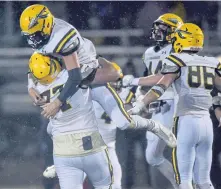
(165, 134)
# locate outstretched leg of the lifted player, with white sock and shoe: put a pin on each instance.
(107, 97)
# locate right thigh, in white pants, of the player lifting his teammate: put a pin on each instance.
(99, 170)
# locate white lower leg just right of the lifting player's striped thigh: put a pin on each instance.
(117, 172)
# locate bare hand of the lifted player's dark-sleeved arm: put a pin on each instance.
(51, 109)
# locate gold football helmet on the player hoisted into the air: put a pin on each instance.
(36, 23)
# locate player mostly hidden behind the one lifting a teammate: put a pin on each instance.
(107, 129)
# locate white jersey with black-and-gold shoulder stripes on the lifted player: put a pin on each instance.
(64, 37)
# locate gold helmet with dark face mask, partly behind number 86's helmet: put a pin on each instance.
(164, 26)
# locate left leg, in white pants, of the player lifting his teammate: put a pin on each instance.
(69, 171)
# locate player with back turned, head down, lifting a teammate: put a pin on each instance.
(78, 147)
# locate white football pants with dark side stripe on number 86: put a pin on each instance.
(192, 157)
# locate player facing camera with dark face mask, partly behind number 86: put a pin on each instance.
(163, 109)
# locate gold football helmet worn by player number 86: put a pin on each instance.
(188, 37)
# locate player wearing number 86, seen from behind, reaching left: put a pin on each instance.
(193, 77)
